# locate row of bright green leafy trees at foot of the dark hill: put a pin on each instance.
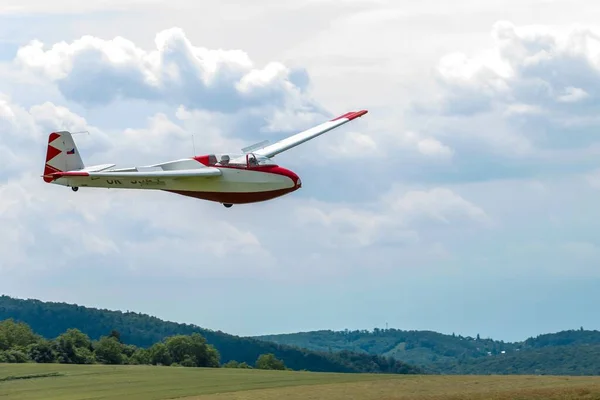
(19, 344)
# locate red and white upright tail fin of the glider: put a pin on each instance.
(62, 154)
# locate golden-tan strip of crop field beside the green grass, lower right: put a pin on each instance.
(430, 388)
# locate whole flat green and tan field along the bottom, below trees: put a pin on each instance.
(54, 381)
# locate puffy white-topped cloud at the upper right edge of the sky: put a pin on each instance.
(530, 66)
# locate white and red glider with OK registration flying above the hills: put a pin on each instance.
(247, 177)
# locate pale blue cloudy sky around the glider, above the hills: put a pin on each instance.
(465, 201)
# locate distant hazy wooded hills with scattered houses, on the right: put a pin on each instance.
(573, 352)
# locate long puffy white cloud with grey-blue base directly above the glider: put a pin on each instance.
(94, 71)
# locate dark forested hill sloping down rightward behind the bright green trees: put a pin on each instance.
(50, 319)
